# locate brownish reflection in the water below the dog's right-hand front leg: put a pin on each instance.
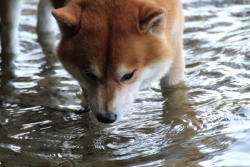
(178, 111)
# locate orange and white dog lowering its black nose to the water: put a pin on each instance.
(113, 48)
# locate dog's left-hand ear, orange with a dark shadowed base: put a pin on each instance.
(68, 18)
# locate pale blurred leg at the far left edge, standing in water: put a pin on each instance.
(10, 13)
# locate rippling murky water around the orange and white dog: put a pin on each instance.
(204, 123)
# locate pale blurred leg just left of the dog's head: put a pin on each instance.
(45, 26)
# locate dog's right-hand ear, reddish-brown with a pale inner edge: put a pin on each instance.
(152, 19)
